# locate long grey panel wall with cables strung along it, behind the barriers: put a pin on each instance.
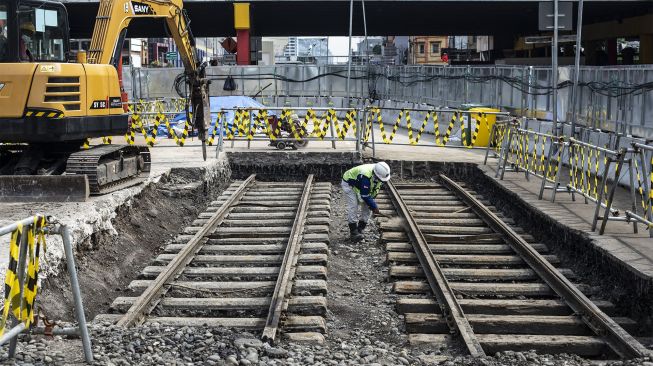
(610, 98)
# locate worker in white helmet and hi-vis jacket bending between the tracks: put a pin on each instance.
(360, 185)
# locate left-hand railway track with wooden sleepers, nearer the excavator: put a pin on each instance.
(255, 259)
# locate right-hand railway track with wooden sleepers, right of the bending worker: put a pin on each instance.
(466, 274)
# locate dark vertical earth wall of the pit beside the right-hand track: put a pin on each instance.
(631, 294)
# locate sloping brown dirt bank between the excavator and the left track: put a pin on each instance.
(107, 262)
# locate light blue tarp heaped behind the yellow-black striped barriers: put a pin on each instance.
(217, 104)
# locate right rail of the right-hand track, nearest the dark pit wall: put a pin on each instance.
(602, 325)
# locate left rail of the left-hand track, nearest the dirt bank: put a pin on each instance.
(152, 294)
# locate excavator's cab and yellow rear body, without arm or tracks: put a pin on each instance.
(44, 99)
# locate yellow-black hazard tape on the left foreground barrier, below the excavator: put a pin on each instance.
(12, 298)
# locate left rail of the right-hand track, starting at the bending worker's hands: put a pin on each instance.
(440, 287)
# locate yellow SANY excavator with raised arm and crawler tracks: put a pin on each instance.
(49, 106)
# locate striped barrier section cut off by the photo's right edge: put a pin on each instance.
(644, 173)
